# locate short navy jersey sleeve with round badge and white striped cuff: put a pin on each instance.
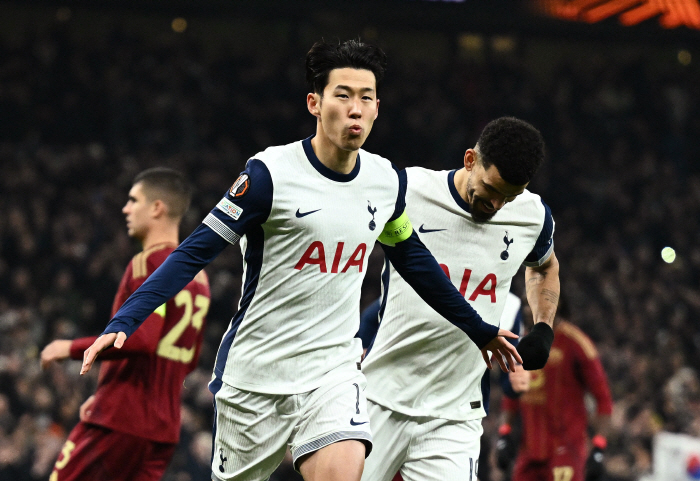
(245, 205)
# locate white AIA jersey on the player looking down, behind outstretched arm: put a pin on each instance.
(419, 363)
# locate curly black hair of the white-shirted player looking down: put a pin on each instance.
(515, 147)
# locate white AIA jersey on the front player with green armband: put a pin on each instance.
(306, 233)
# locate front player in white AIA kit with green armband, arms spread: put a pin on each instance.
(288, 368)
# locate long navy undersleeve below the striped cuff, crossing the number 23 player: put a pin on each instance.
(198, 250)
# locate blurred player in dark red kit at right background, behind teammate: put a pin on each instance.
(553, 413)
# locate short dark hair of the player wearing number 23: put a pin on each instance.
(168, 185)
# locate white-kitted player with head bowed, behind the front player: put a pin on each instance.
(426, 387)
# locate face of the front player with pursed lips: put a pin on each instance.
(348, 107)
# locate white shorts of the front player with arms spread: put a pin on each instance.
(253, 430)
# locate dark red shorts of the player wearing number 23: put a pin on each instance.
(96, 453)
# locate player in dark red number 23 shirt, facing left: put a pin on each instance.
(129, 428)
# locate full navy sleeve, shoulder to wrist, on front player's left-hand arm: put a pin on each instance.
(245, 205)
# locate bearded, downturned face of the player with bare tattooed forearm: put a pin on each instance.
(487, 192)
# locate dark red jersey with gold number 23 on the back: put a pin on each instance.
(146, 375)
